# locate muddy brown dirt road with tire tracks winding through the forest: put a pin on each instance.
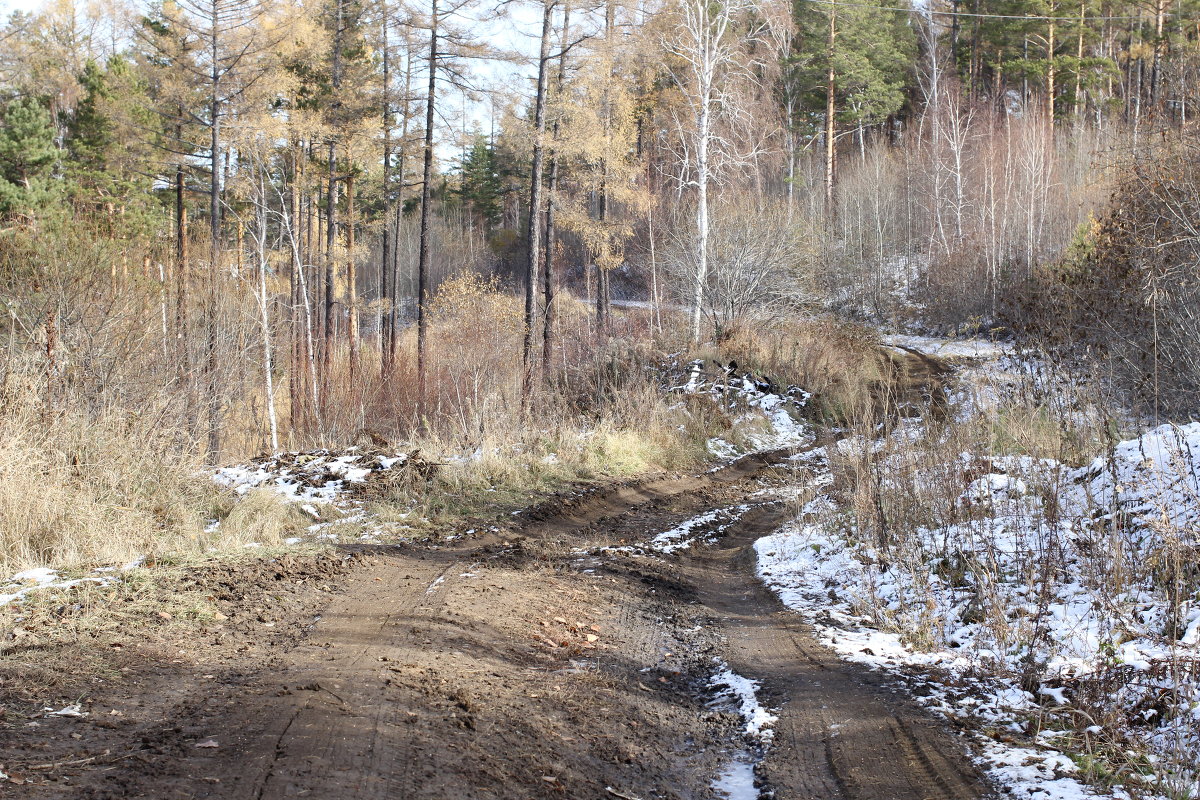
(550, 661)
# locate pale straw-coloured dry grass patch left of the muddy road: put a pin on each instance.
(80, 491)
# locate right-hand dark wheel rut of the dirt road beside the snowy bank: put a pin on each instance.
(842, 732)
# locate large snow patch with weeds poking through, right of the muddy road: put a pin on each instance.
(1079, 580)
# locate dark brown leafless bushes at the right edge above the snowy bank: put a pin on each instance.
(1126, 296)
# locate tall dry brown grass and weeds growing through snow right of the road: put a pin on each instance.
(903, 502)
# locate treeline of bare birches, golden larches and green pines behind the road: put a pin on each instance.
(245, 209)
